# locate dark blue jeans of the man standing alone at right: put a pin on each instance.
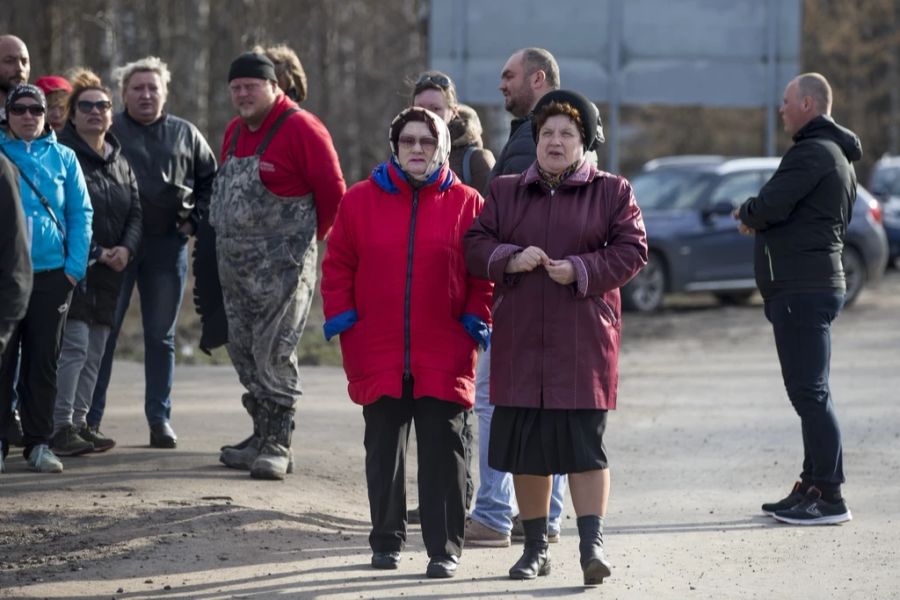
(802, 326)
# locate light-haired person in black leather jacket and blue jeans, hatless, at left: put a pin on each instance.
(174, 167)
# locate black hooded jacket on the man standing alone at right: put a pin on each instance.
(801, 214)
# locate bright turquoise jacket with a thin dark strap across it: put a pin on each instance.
(54, 169)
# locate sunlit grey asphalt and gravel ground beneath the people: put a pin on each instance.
(703, 435)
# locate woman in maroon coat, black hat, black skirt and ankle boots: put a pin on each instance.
(558, 241)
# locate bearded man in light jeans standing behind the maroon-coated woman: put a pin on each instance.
(527, 75)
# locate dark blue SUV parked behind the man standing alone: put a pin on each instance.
(694, 243)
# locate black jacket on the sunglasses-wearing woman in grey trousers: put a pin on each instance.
(117, 222)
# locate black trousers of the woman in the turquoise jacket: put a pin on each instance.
(40, 335)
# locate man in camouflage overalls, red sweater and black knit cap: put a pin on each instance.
(277, 192)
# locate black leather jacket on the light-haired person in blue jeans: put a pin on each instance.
(174, 166)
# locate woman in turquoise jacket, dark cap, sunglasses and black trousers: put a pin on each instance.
(58, 219)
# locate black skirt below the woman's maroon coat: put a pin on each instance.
(539, 441)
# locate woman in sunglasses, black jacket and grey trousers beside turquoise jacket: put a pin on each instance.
(116, 235)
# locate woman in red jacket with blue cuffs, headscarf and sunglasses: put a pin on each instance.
(395, 287)
